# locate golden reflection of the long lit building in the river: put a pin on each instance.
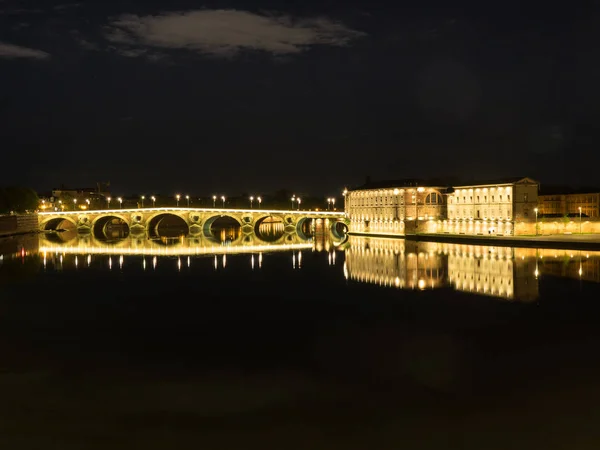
(504, 272)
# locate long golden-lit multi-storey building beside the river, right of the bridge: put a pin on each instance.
(401, 208)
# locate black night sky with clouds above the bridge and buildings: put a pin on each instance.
(232, 97)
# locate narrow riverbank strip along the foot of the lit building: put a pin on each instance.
(571, 241)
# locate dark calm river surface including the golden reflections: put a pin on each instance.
(295, 344)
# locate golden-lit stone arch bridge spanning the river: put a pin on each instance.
(195, 221)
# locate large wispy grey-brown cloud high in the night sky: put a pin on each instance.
(226, 32)
